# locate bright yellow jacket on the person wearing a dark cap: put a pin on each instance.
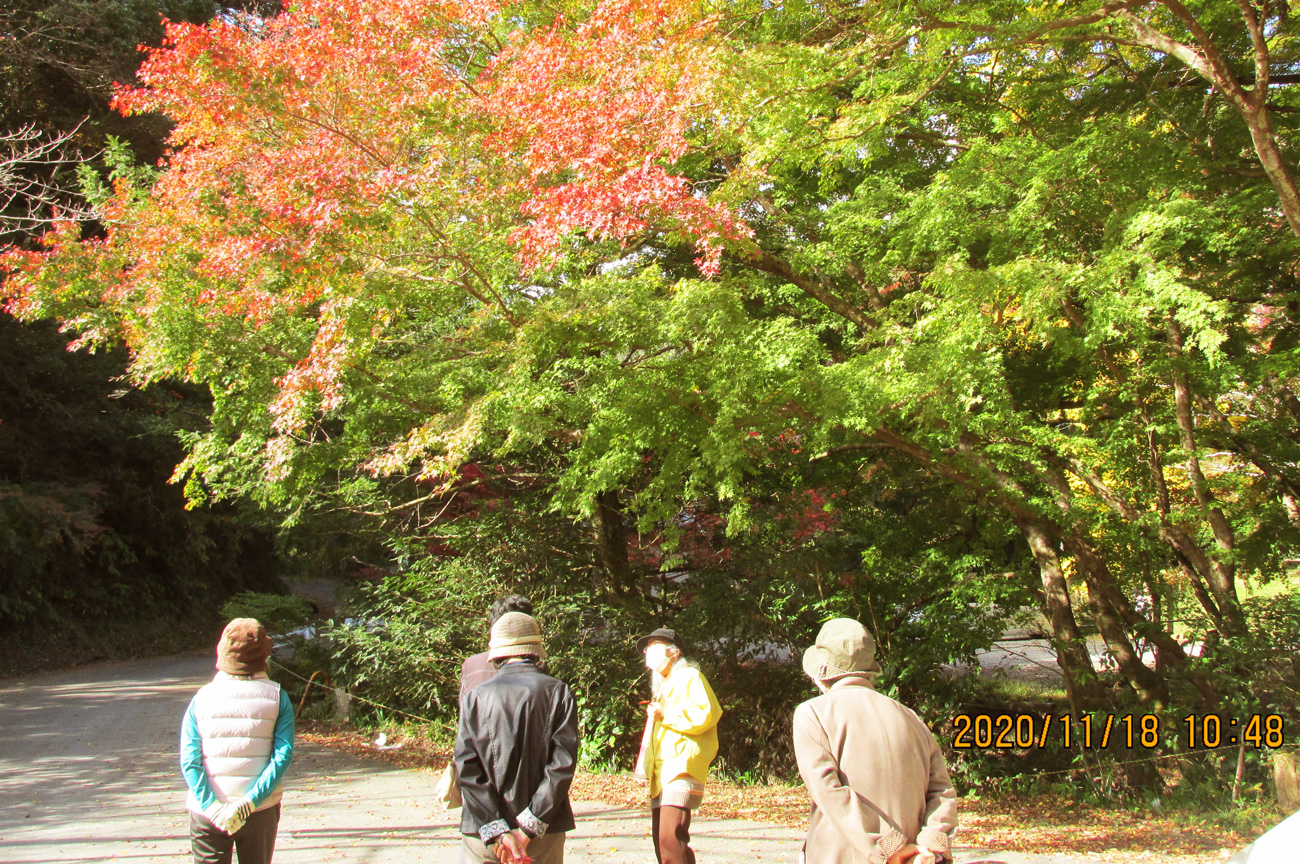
(686, 741)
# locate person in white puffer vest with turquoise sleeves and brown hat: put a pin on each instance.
(237, 741)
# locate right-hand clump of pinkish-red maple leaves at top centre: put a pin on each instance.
(599, 114)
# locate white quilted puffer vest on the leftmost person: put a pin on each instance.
(237, 724)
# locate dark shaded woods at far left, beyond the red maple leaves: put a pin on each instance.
(99, 555)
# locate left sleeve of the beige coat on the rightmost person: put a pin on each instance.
(857, 824)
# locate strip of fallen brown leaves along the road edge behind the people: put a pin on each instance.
(1041, 826)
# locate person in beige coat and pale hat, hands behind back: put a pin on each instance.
(874, 771)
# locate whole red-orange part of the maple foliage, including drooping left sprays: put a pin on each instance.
(348, 149)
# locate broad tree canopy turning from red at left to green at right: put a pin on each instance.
(1039, 255)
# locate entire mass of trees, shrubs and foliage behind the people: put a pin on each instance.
(730, 318)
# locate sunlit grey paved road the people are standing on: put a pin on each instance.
(89, 774)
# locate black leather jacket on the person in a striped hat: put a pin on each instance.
(515, 753)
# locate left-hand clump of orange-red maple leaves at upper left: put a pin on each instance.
(291, 131)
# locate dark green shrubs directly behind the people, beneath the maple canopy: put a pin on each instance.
(746, 627)
